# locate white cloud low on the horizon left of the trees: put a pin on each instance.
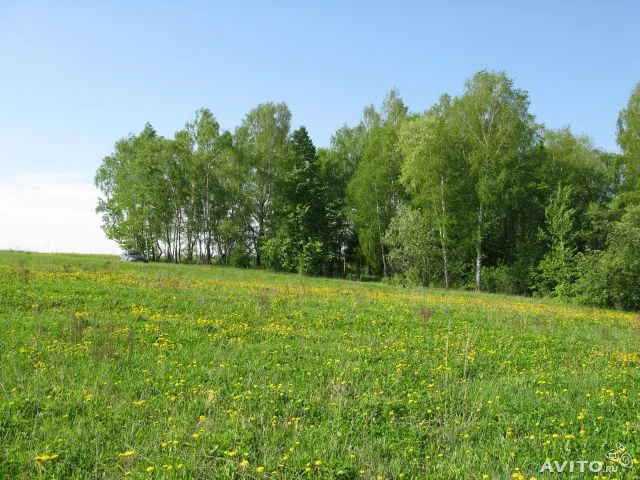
(51, 212)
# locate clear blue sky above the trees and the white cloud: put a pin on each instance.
(77, 76)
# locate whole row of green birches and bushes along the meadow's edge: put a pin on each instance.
(471, 193)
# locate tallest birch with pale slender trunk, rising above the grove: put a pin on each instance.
(499, 138)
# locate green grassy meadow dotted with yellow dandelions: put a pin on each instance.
(114, 370)
